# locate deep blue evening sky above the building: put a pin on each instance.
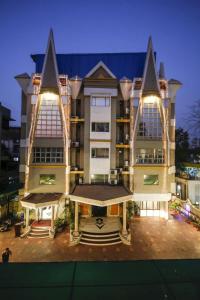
(101, 26)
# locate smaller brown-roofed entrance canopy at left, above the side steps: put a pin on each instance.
(40, 200)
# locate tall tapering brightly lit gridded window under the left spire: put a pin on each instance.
(49, 119)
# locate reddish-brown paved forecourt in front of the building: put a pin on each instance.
(153, 238)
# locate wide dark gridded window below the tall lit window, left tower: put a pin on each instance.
(47, 155)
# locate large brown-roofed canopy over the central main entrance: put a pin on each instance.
(100, 195)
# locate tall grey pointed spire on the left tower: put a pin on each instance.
(50, 68)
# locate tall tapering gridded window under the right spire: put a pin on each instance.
(150, 121)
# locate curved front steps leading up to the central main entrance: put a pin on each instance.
(100, 239)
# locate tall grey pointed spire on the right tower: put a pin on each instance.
(150, 81)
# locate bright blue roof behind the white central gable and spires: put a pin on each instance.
(130, 65)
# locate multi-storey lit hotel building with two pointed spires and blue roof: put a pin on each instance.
(98, 133)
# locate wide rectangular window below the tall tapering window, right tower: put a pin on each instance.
(149, 156)
